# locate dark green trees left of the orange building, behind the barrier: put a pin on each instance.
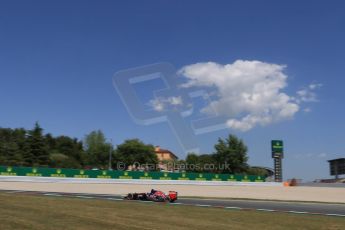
(20, 147)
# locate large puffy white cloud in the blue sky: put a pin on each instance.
(249, 93)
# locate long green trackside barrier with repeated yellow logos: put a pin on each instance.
(113, 174)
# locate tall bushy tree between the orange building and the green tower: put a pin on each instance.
(231, 155)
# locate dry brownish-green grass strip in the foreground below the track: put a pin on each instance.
(40, 212)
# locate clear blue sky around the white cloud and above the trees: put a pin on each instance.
(57, 60)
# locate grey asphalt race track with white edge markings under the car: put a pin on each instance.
(306, 208)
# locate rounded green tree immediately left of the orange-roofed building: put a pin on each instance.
(135, 151)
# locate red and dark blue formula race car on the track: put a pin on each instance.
(154, 195)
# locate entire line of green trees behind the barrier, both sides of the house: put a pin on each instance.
(20, 147)
